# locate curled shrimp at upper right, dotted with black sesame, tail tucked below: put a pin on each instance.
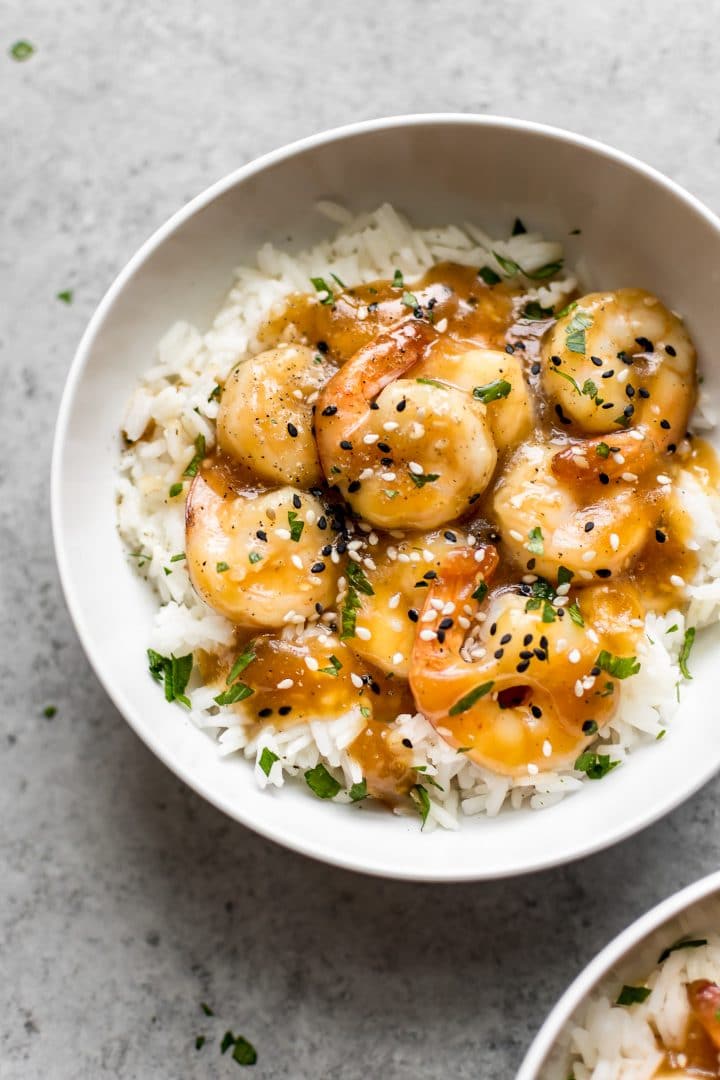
(620, 369)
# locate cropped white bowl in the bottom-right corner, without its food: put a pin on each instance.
(628, 958)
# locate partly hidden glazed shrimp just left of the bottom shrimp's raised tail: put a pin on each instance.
(388, 617)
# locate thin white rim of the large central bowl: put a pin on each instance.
(324, 853)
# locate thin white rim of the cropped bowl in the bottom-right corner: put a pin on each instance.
(616, 951)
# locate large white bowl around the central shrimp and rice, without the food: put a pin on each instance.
(639, 228)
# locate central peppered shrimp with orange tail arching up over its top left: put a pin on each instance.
(420, 455)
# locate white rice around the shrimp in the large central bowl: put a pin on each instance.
(176, 395)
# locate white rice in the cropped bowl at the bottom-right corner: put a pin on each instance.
(619, 1043)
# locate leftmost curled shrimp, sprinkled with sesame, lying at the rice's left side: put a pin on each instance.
(259, 559)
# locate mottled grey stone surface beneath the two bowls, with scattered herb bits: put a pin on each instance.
(125, 900)
